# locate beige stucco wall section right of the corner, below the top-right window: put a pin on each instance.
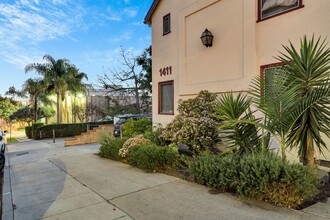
(313, 18)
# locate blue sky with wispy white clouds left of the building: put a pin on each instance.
(87, 32)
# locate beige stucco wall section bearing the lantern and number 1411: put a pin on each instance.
(229, 64)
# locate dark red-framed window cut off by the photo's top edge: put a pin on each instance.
(271, 8)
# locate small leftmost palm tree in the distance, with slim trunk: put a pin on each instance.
(34, 87)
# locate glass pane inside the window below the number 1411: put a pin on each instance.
(166, 98)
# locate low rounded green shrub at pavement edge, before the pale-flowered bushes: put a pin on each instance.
(151, 157)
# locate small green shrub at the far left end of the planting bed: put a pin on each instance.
(110, 147)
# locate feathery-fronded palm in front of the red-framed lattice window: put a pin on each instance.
(274, 96)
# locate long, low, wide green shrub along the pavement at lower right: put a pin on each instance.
(262, 176)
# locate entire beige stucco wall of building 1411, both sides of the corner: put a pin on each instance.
(241, 44)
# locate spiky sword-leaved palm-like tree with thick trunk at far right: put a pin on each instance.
(309, 70)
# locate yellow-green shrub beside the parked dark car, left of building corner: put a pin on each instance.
(131, 128)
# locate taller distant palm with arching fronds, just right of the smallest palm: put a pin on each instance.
(57, 74)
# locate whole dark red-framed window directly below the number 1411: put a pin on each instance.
(165, 98)
